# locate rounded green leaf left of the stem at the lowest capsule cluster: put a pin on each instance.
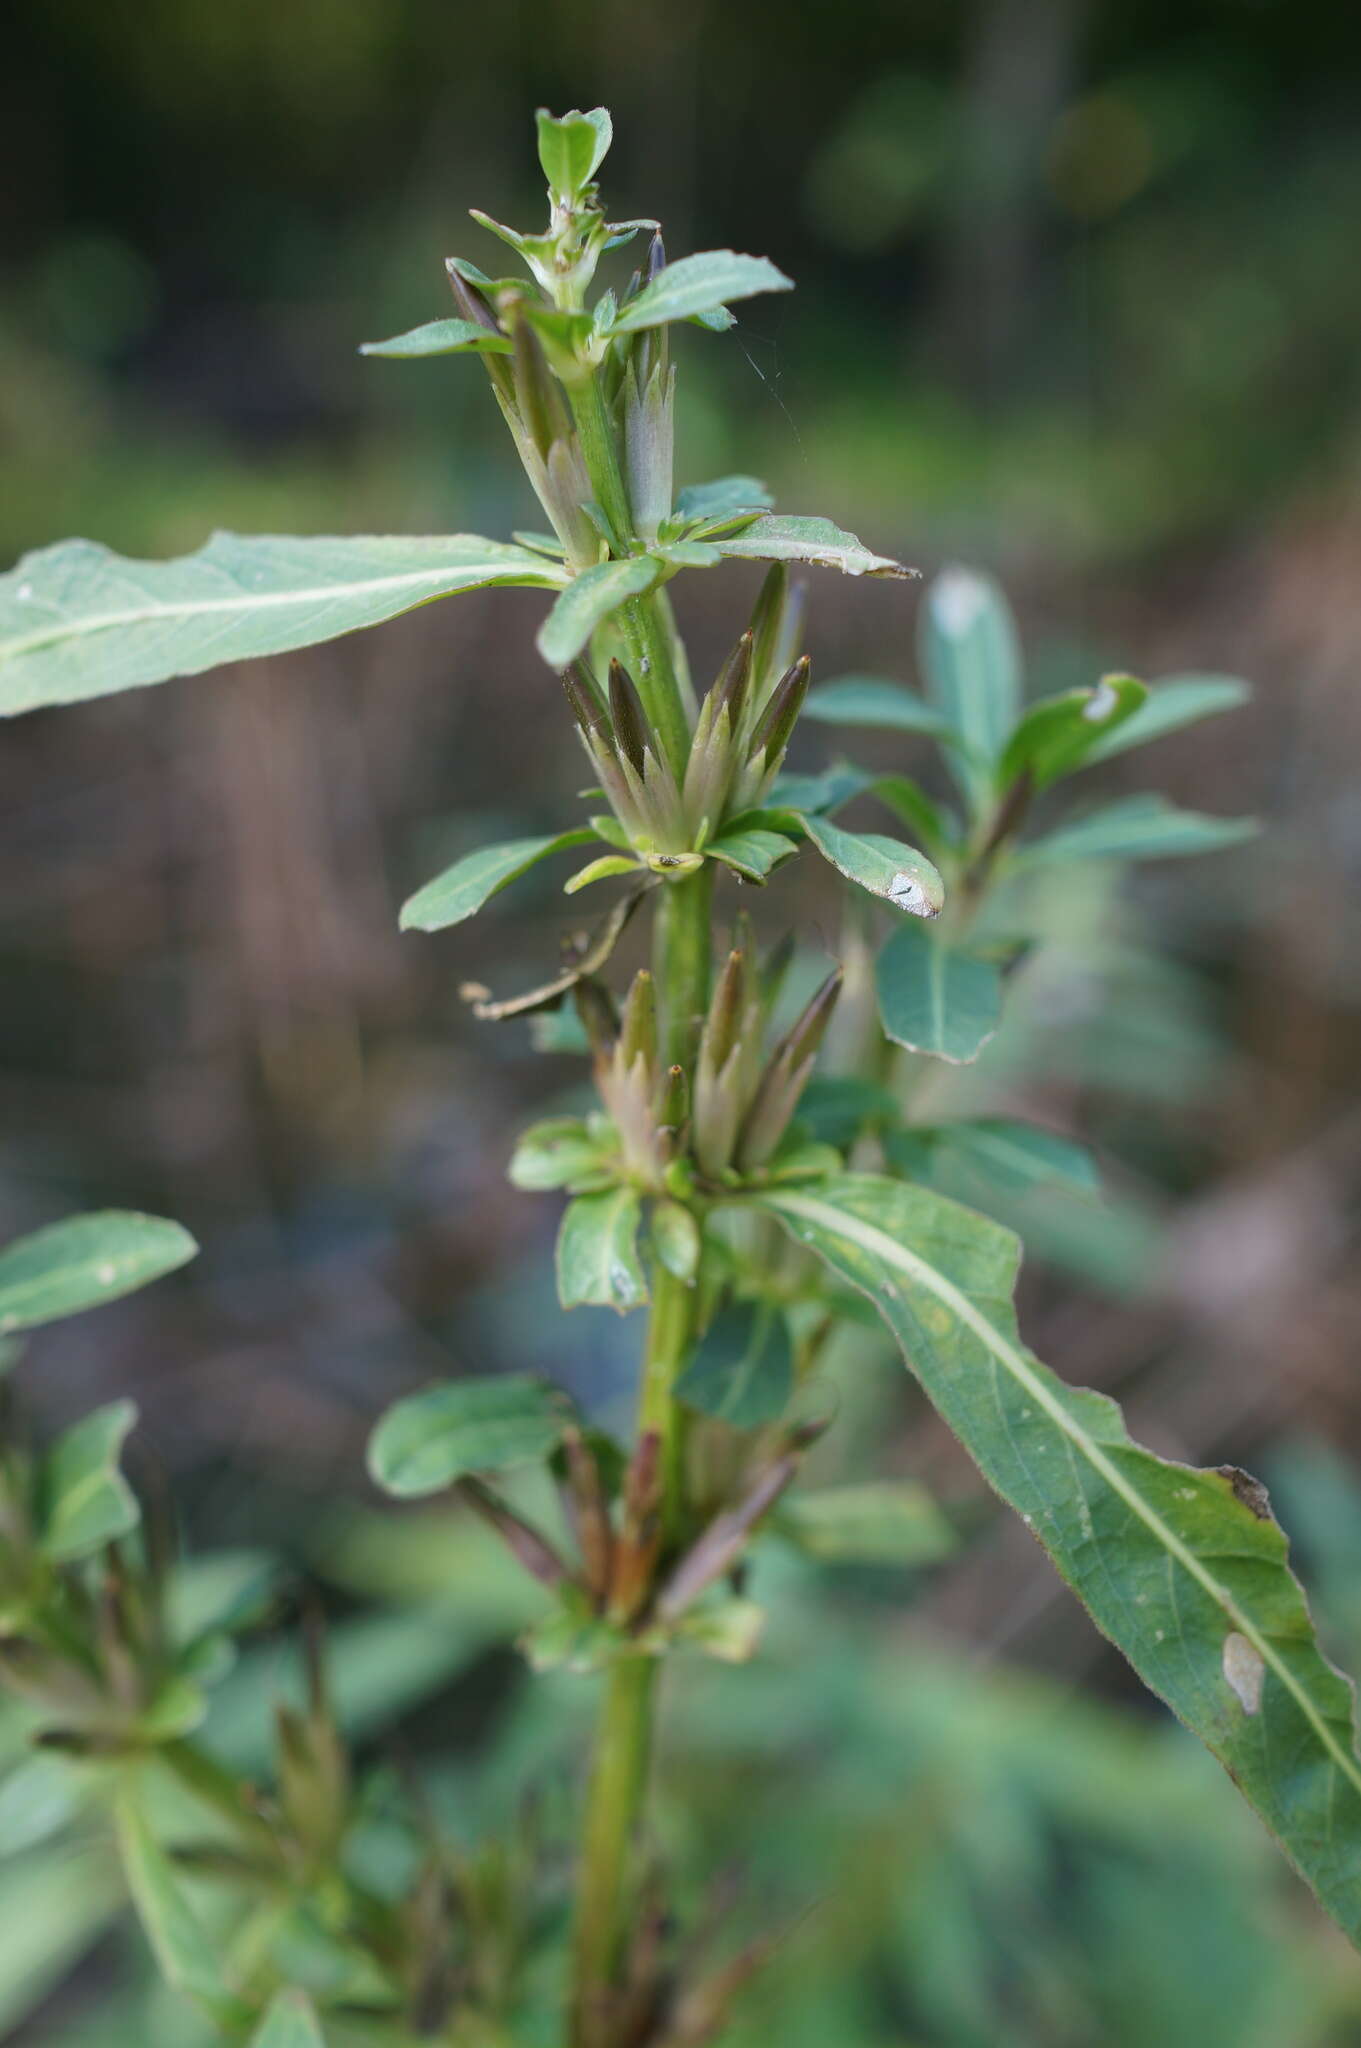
(464, 1426)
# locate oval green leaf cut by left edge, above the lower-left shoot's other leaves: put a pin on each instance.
(85, 1263)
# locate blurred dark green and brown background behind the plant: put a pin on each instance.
(1078, 302)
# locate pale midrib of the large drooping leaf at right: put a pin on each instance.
(887, 1248)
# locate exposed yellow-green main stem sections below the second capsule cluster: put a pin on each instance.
(625, 1732)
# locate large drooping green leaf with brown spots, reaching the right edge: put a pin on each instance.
(1184, 1570)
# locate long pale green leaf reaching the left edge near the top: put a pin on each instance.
(81, 622)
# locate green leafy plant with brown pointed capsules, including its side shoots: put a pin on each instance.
(707, 1191)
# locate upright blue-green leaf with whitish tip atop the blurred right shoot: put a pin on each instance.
(973, 667)
